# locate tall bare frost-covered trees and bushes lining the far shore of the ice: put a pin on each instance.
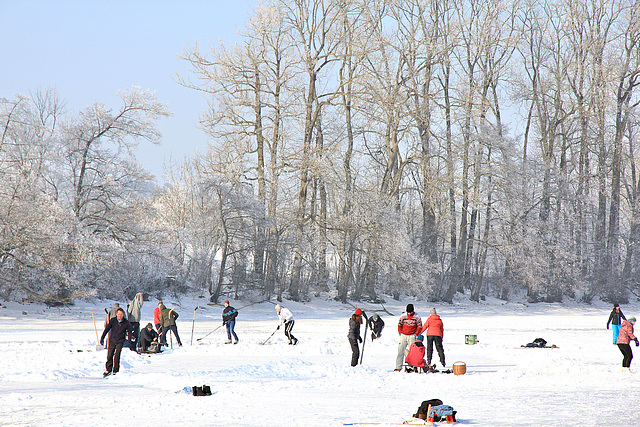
(362, 148)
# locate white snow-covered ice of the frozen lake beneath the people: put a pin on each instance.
(46, 380)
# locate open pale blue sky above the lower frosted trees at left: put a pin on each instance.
(89, 49)
